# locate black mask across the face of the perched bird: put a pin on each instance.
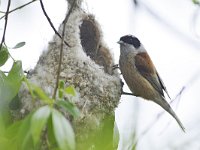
(131, 40)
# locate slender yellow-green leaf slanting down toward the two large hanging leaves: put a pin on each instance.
(41, 94)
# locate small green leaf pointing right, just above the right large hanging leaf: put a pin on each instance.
(69, 107)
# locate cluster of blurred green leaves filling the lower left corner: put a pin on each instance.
(46, 126)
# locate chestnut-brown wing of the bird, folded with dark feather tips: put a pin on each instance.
(146, 68)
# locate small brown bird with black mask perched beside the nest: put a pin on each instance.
(141, 75)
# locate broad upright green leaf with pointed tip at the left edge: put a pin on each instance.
(9, 85)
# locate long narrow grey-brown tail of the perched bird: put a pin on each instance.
(164, 104)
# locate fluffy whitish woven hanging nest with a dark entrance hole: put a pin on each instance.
(87, 65)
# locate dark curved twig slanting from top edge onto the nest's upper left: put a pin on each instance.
(51, 24)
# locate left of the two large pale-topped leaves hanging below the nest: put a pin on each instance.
(38, 121)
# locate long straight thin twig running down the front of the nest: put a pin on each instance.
(62, 46)
